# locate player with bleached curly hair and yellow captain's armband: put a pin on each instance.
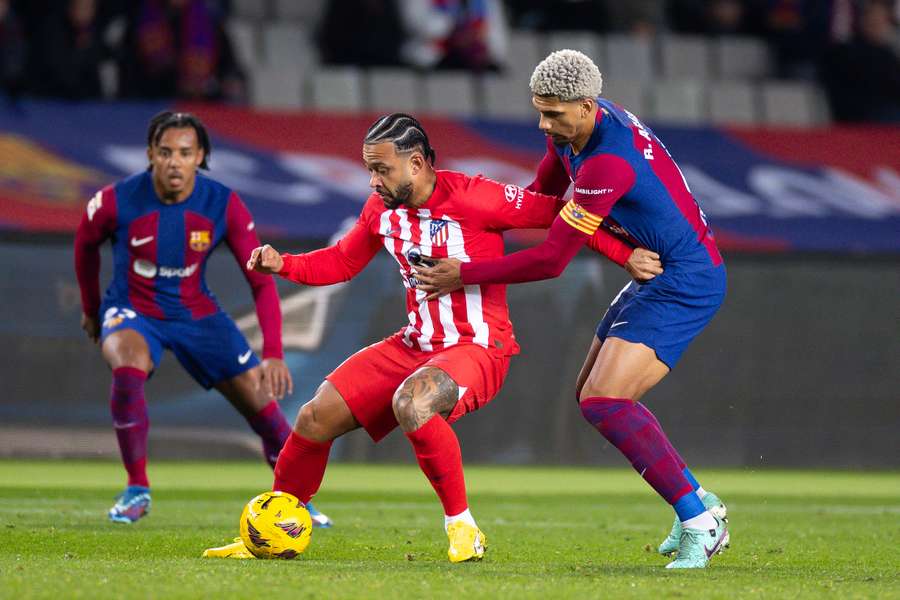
(625, 181)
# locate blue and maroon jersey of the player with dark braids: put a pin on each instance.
(160, 252)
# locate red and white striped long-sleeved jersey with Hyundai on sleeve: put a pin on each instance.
(464, 218)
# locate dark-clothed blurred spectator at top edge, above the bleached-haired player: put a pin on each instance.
(571, 15)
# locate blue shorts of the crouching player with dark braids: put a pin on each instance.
(211, 349)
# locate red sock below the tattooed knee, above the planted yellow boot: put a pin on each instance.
(439, 456)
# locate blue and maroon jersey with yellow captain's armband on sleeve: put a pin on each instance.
(625, 182)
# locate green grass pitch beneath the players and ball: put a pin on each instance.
(552, 533)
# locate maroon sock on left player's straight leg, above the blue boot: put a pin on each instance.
(129, 413)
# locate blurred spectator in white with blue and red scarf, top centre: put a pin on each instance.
(455, 34)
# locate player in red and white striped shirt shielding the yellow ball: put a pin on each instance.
(453, 355)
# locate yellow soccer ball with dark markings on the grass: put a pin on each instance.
(275, 525)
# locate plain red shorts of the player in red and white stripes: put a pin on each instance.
(368, 379)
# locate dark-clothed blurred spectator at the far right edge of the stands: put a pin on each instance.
(862, 77)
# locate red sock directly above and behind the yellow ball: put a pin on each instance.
(301, 466)
